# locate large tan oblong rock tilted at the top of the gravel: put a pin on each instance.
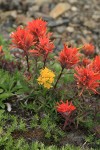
(59, 9)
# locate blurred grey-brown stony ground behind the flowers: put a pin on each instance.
(71, 21)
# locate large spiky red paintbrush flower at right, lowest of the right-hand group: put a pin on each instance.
(87, 79)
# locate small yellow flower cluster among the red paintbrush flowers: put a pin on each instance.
(46, 78)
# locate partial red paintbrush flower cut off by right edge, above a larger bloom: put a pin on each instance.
(96, 64)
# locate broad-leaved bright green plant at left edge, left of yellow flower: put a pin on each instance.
(11, 85)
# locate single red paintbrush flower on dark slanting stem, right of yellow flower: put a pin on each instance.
(68, 57)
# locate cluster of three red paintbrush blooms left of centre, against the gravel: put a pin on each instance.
(33, 35)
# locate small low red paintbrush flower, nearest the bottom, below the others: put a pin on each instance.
(65, 107)
